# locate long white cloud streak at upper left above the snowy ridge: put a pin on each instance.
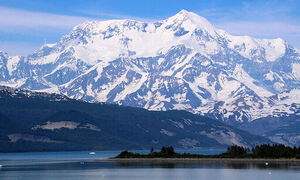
(16, 18)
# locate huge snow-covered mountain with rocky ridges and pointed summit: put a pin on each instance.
(183, 62)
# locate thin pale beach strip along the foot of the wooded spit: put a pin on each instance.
(198, 160)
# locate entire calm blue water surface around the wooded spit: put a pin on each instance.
(80, 165)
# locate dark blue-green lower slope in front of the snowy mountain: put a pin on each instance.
(33, 121)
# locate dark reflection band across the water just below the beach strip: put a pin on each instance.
(82, 165)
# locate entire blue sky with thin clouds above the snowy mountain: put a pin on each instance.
(25, 25)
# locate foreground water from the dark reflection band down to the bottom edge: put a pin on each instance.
(91, 170)
